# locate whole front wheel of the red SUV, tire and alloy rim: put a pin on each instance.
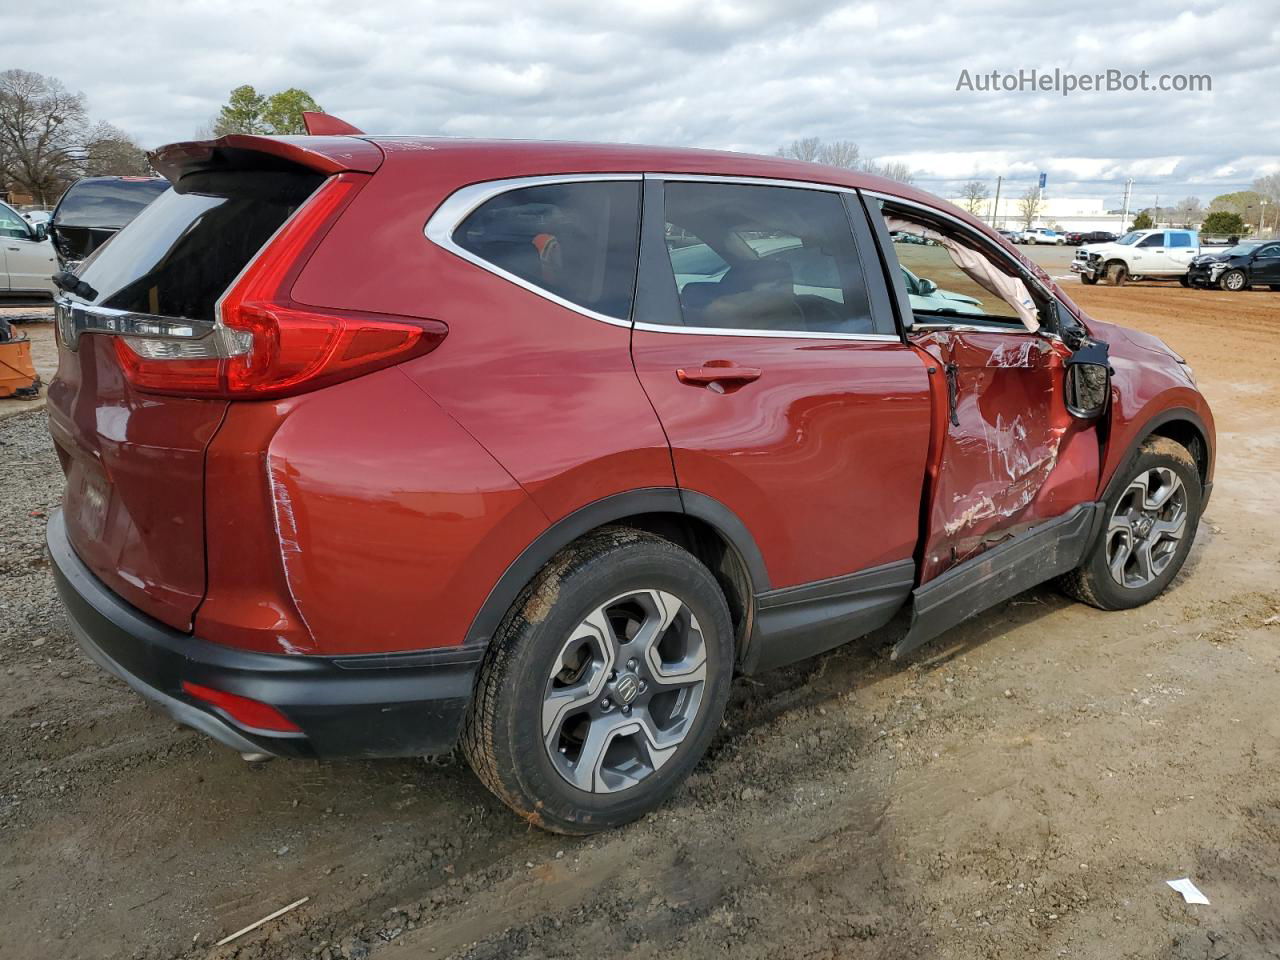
(1150, 528)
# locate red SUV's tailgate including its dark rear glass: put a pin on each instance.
(134, 456)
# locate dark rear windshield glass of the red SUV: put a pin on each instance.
(185, 250)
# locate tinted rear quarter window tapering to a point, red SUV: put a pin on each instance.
(579, 241)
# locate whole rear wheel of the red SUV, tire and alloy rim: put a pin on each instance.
(605, 685)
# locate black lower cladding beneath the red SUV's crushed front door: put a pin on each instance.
(1044, 552)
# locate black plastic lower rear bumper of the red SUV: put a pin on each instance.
(400, 705)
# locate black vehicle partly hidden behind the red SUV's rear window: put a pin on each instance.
(94, 209)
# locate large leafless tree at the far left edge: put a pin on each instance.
(42, 127)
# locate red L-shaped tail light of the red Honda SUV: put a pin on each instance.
(266, 345)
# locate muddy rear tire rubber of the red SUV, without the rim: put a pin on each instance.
(504, 738)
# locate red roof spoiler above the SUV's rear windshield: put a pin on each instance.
(324, 154)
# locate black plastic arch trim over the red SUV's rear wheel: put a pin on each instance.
(698, 523)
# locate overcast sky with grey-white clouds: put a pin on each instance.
(747, 75)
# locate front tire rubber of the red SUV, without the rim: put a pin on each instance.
(1092, 582)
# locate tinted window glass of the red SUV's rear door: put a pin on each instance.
(765, 259)
